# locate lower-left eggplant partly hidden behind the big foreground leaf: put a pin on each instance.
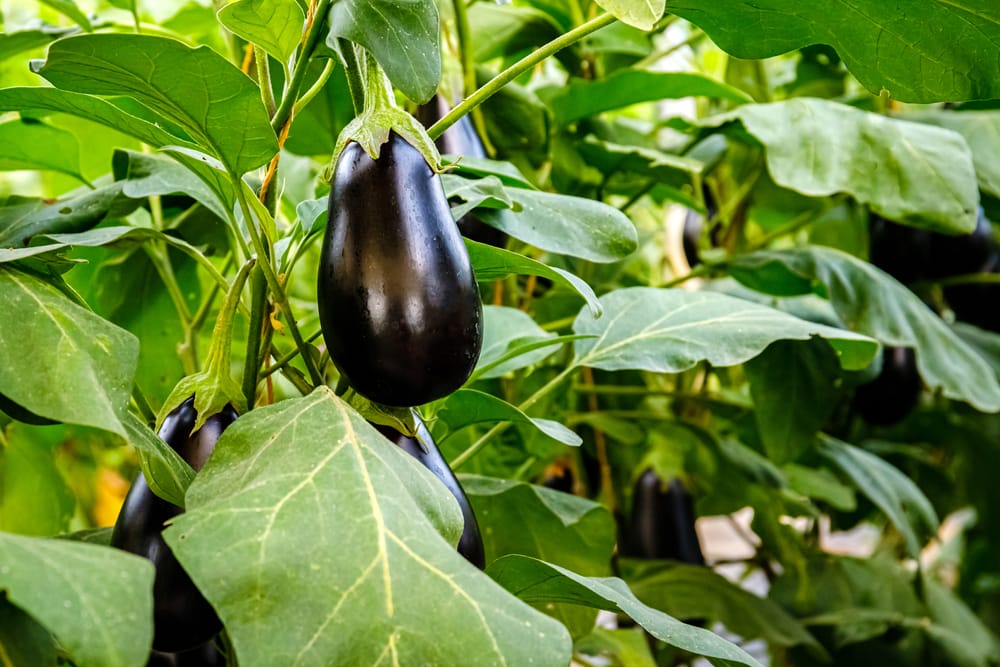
(182, 617)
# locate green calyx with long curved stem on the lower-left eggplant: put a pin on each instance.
(214, 387)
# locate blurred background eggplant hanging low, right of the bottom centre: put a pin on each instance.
(661, 525)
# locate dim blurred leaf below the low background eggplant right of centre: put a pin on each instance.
(691, 591)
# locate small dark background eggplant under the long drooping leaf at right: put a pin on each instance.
(894, 393)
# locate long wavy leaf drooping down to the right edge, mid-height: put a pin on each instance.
(871, 302)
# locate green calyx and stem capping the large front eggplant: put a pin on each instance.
(380, 116)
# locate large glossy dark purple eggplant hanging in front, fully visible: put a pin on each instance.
(398, 300)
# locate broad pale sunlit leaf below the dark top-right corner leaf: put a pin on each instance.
(912, 173)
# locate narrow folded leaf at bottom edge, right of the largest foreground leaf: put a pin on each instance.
(537, 581)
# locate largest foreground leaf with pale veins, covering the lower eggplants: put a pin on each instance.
(308, 520)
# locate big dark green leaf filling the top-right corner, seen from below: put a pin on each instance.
(916, 50)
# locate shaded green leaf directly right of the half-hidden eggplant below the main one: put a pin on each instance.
(520, 518)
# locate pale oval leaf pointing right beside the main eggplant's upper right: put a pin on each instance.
(566, 225)
